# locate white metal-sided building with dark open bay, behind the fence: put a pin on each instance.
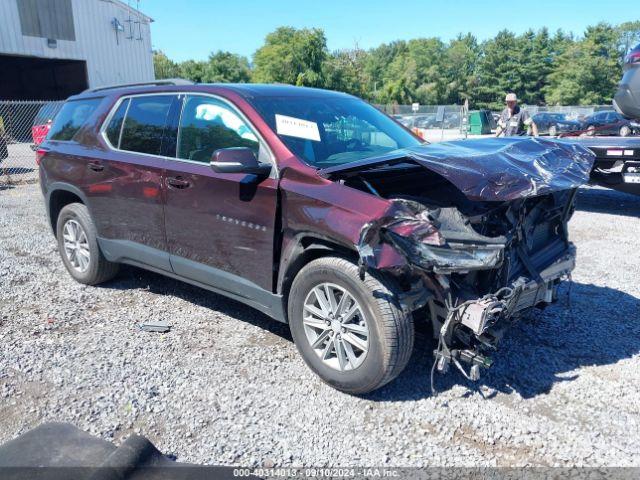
(50, 49)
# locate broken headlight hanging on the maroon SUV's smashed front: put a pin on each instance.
(450, 257)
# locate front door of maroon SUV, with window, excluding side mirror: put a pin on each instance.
(219, 226)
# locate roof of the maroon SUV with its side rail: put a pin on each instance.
(246, 90)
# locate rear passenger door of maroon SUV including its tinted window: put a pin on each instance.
(124, 185)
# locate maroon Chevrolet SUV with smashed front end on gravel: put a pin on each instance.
(320, 211)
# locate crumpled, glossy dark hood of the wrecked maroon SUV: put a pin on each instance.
(495, 169)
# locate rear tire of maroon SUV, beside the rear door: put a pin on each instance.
(96, 269)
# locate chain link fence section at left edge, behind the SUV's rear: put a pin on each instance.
(23, 126)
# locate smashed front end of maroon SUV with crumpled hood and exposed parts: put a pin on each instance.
(475, 261)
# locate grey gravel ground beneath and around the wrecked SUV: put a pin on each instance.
(226, 385)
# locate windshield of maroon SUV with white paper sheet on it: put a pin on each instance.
(327, 131)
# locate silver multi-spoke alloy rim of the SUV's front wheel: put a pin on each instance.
(336, 327)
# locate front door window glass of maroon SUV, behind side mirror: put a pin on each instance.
(207, 125)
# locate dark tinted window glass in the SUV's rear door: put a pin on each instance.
(145, 122)
